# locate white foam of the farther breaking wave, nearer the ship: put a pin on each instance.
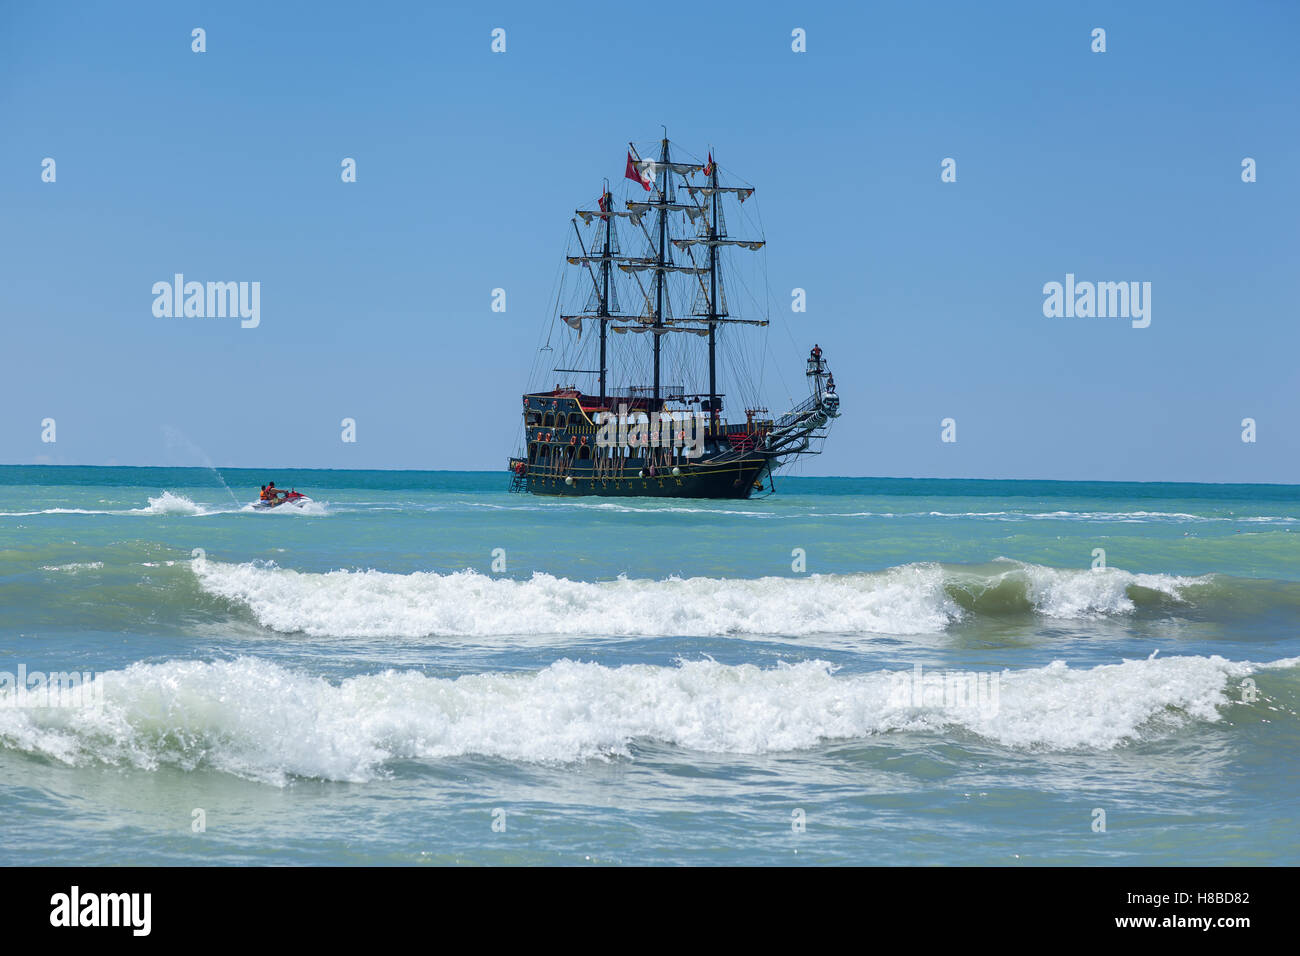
(908, 600)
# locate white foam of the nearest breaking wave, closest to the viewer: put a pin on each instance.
(261, 721)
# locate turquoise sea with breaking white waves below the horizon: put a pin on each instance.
(648, 682)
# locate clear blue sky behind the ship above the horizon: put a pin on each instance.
(928, 297)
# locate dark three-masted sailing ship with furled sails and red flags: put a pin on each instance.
(593, 438)
